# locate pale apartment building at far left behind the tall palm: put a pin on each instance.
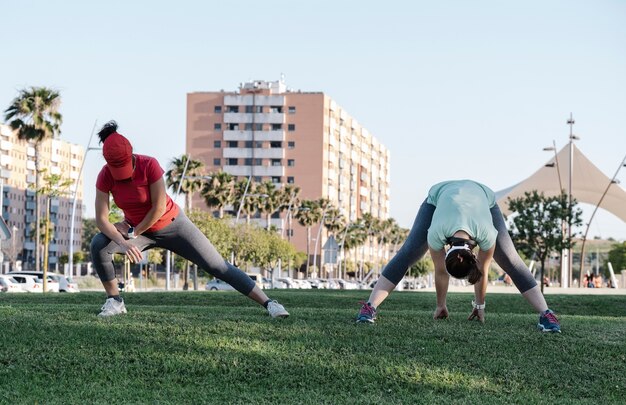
(17, 185)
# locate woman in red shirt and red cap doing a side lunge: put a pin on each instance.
(151, 219)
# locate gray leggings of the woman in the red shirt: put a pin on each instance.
(181, 237)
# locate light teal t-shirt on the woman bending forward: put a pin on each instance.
(461, 205)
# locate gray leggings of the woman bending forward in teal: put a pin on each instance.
(416, 245)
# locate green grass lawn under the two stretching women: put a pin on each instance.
(221, 348)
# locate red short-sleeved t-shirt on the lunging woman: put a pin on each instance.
(133, 197)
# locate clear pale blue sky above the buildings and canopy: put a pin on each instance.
(455, 89)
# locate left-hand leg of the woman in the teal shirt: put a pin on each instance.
(413, 249)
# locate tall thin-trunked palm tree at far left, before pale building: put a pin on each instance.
(34, 115)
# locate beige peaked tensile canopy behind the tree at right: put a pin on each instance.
(588, 183)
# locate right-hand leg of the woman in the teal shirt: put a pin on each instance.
(507, 257)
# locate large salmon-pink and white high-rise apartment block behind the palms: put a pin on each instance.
(270, 132)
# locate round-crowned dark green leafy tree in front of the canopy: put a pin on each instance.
(537, 228)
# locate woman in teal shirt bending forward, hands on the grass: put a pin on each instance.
(461, 215)
